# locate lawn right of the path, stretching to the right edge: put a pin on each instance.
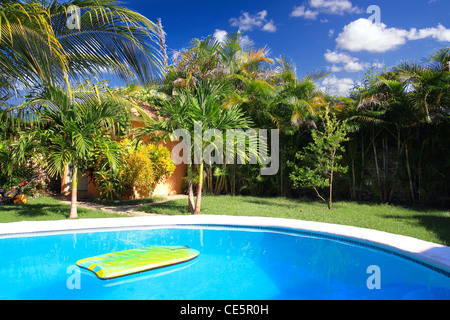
(426, 224)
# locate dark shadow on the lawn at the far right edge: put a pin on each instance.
(439, 225)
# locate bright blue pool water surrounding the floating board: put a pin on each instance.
(233, 264)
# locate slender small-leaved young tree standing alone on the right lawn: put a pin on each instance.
(319, 161)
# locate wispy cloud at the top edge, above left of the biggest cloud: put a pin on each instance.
(315, 7)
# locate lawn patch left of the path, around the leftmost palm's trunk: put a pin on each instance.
(46, 208)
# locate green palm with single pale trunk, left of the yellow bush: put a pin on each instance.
(76, 128)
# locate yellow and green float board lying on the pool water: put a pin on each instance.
(122, 263)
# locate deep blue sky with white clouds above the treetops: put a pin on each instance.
(338, 36)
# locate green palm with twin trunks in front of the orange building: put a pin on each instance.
(208, 104)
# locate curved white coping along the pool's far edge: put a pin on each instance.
(428, 252)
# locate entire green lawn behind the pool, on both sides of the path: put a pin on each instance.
(427, 224)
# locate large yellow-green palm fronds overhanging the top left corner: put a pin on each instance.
(37, 49)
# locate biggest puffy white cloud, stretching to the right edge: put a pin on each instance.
(363, 35)
